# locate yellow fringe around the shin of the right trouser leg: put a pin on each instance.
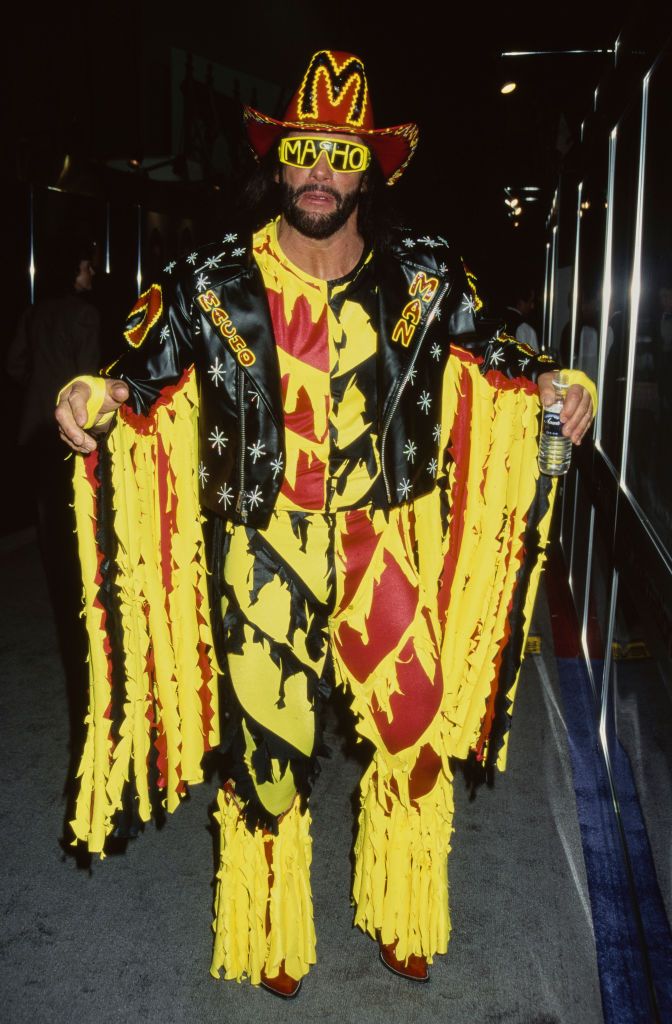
(401, 871)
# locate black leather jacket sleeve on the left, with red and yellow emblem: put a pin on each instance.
(160, 344)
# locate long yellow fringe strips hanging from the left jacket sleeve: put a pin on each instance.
(166, 702)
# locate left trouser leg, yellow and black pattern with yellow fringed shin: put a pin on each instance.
(276, 591)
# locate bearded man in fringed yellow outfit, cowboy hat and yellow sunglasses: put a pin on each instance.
(352, 464)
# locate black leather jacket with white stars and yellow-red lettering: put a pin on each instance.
(211, 311)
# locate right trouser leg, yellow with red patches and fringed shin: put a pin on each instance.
(387, 654)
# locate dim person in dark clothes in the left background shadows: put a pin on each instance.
(56, 339)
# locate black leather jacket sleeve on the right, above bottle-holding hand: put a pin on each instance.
(485, 338)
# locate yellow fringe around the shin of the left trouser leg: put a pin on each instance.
(242, 948)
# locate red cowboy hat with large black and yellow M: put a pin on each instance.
(334, 98)
